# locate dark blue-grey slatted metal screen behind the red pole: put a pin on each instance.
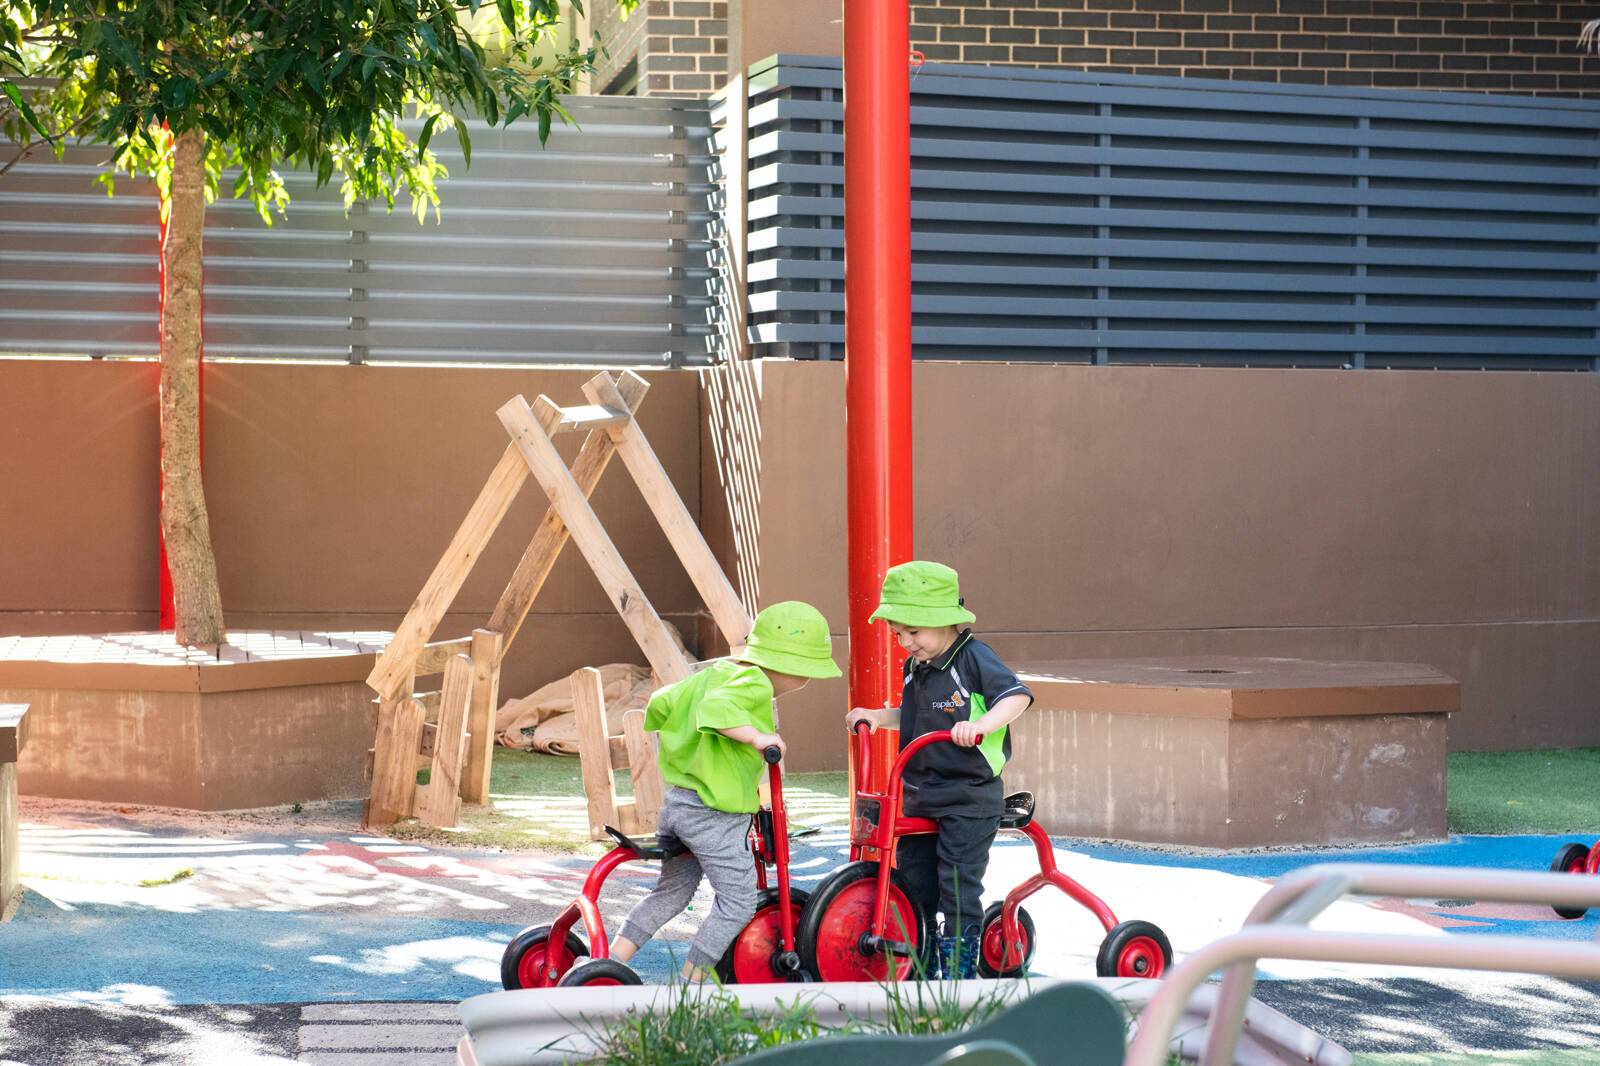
(1132, 220)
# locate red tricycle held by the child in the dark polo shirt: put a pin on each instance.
(863, 915)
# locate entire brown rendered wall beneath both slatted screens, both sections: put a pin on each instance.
(1094, 511)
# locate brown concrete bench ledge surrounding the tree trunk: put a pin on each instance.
(268, 718)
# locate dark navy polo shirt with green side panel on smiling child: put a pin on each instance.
(961, 686)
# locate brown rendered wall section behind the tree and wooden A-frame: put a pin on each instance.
(332, 492)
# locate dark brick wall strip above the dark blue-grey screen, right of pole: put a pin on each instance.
(1508, 47)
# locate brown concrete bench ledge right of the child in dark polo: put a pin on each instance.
(1230, 753)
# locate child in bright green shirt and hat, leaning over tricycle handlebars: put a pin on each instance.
(713, 729)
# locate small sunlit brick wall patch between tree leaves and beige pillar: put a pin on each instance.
(681, 47)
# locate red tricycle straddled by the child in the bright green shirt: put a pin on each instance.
(548, 956)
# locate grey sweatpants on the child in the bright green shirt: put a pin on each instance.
(719, 849)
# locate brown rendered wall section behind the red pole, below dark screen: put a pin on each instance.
(1121, 511)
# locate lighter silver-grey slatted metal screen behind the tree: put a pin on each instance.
(588, 250)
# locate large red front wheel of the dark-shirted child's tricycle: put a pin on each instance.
(839, 916)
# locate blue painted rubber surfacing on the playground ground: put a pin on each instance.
(228, 956)
